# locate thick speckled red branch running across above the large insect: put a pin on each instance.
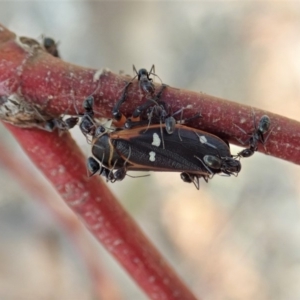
(55, 87)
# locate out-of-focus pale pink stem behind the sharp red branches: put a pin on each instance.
(103, 285)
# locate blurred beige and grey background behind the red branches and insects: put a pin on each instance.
(236, 238)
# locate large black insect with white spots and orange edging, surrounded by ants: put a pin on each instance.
(144, 147)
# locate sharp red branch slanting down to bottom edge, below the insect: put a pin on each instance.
(100, 211)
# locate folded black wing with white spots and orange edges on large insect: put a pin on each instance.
(143, 148)
